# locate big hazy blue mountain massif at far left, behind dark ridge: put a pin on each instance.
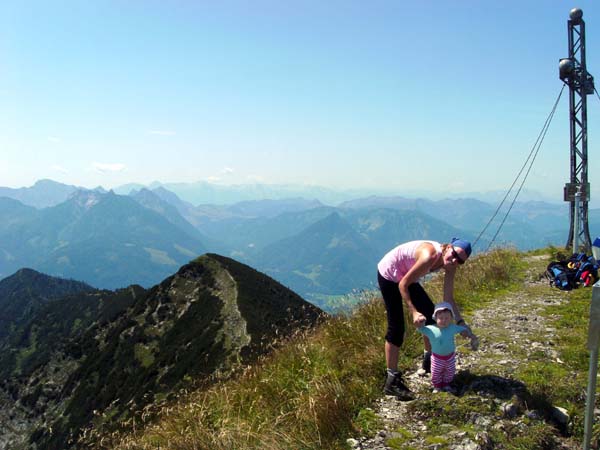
(104, 239)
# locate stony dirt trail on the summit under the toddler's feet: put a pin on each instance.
(506, 328)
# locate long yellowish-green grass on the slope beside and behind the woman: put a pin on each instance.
(314, 389)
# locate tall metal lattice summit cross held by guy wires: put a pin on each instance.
(573, 72)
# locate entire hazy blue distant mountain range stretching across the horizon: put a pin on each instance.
(110, 240)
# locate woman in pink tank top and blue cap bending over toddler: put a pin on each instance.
(398, 274)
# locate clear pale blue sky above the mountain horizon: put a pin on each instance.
(440, 96)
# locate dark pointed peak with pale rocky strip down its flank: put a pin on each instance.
(209, 317)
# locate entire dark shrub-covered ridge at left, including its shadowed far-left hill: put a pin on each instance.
(86, 355)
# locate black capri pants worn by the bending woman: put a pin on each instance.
(395, 308)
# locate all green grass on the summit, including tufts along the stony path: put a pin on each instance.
(317, 389)
